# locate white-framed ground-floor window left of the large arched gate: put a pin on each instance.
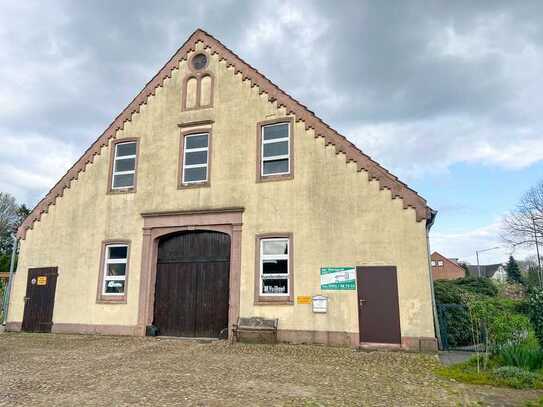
(114, 275)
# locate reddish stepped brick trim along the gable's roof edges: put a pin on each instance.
(352, 154)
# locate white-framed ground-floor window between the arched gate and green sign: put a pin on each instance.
(274, 267)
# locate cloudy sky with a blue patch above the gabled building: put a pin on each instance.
(447, 95)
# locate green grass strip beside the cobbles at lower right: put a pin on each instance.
(467, 373)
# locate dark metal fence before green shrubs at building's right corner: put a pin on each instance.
(457, 329)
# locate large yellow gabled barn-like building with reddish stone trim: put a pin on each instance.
(215, 195)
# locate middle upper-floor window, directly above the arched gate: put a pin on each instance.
(195, 158)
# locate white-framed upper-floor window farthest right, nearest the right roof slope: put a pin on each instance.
(275, 149)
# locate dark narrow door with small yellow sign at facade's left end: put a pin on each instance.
(40, 299)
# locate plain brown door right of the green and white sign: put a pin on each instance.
(378, 309)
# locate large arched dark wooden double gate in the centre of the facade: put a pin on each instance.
(192, 285)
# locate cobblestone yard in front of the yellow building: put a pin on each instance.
(45, 370)
